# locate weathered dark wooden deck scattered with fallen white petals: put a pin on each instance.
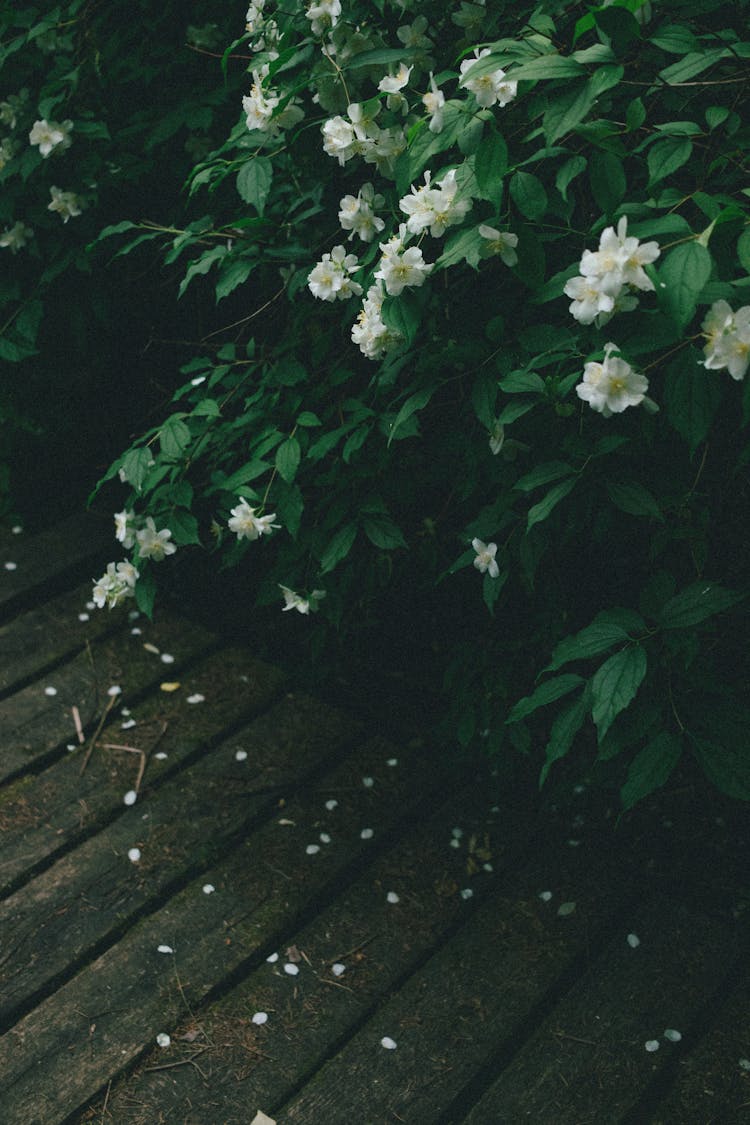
(281, 839)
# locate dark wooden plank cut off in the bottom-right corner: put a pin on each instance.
(710, 1068)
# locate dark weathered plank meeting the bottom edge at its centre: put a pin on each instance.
(482, 993)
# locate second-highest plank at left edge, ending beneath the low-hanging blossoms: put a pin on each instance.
(53, 633)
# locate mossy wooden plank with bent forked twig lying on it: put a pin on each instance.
(43, 815)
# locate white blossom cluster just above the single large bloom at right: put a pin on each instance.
(609, 276)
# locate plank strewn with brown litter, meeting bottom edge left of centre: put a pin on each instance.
(379, 943)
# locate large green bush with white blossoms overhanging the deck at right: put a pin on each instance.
(490, 327)
